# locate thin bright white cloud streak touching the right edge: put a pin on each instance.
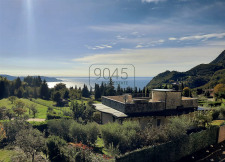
(198, 37)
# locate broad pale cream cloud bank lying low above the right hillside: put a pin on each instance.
(150, 62)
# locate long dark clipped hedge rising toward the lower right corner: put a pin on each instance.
(174, 150)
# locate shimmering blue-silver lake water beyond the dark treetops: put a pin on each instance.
(139, 82)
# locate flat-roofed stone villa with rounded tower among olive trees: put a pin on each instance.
(163, 104)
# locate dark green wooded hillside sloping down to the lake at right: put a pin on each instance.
(203, 75)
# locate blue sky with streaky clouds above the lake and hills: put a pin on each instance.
(65, 37)
